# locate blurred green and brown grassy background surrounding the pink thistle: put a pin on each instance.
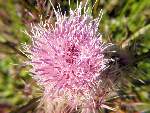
(124, 22)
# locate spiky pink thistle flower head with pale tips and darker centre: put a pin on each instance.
(68, 60)
